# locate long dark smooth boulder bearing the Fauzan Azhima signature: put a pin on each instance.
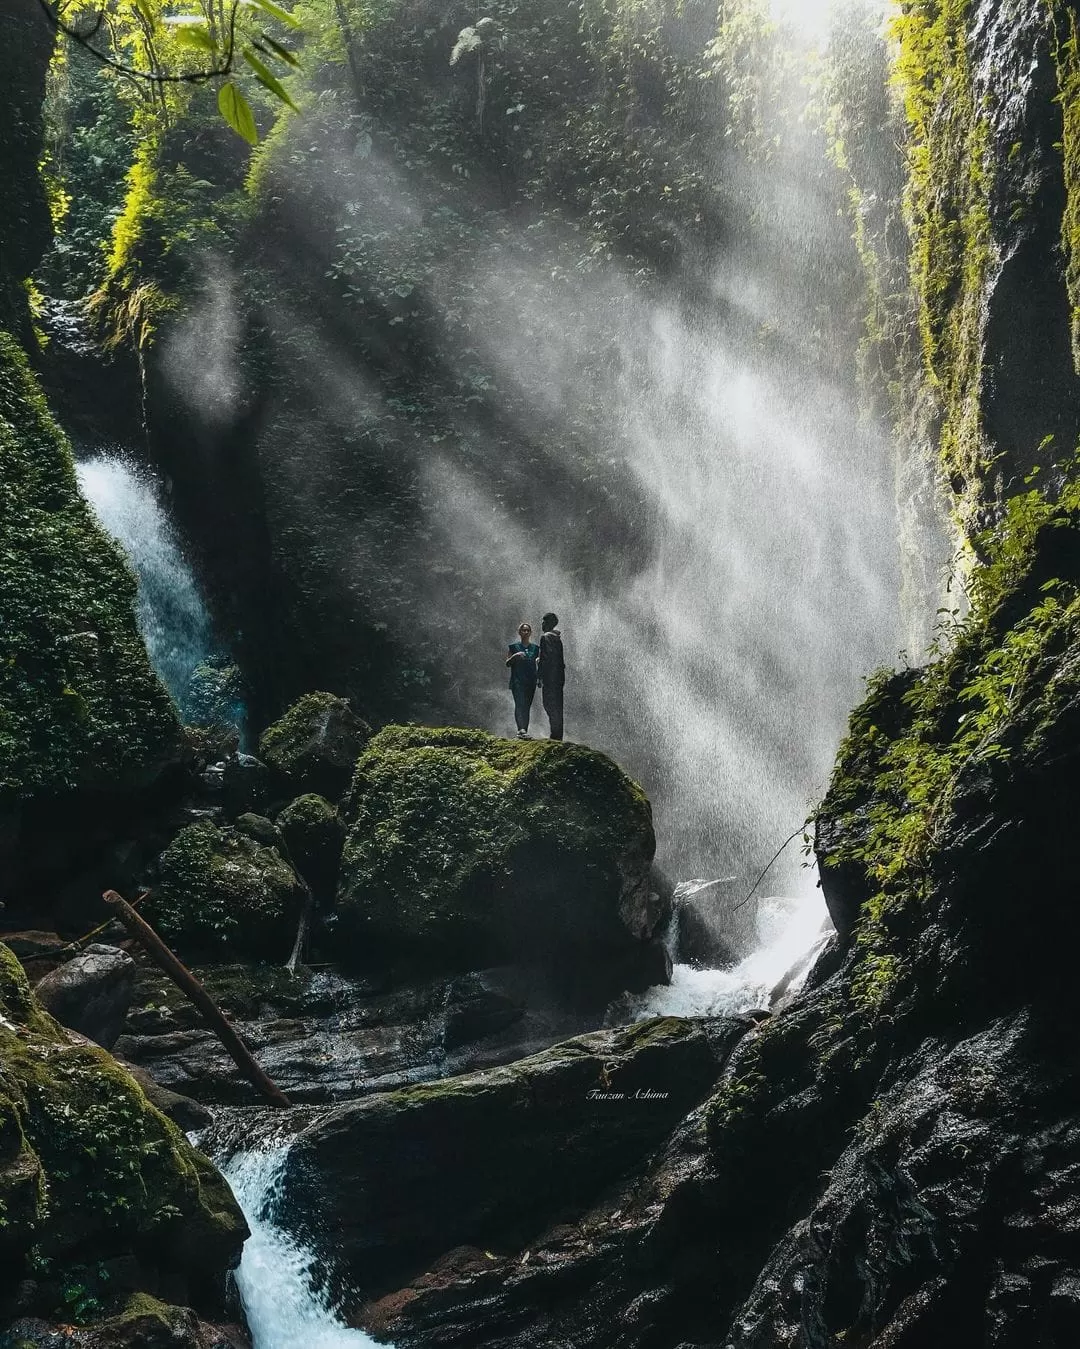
(487, 1159)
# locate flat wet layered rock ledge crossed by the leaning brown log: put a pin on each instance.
(327, 1038)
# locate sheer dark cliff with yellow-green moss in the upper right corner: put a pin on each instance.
(989, 102)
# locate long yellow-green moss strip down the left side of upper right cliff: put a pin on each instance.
(947, 202)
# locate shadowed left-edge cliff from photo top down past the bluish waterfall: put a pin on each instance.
(84, 722)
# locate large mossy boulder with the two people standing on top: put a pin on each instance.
(466, 851)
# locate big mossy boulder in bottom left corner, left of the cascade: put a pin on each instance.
(94, 1178)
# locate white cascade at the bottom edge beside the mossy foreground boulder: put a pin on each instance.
(278, 1275)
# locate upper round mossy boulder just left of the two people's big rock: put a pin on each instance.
(315, 747)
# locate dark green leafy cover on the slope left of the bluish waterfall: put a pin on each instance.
(79, 702)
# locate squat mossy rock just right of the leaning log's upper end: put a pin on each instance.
(219, 892)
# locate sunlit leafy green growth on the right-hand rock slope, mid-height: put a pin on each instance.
(997, 690)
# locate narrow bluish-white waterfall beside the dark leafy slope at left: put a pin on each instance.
(171, 610)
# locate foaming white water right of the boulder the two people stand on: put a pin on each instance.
(789, 931)
